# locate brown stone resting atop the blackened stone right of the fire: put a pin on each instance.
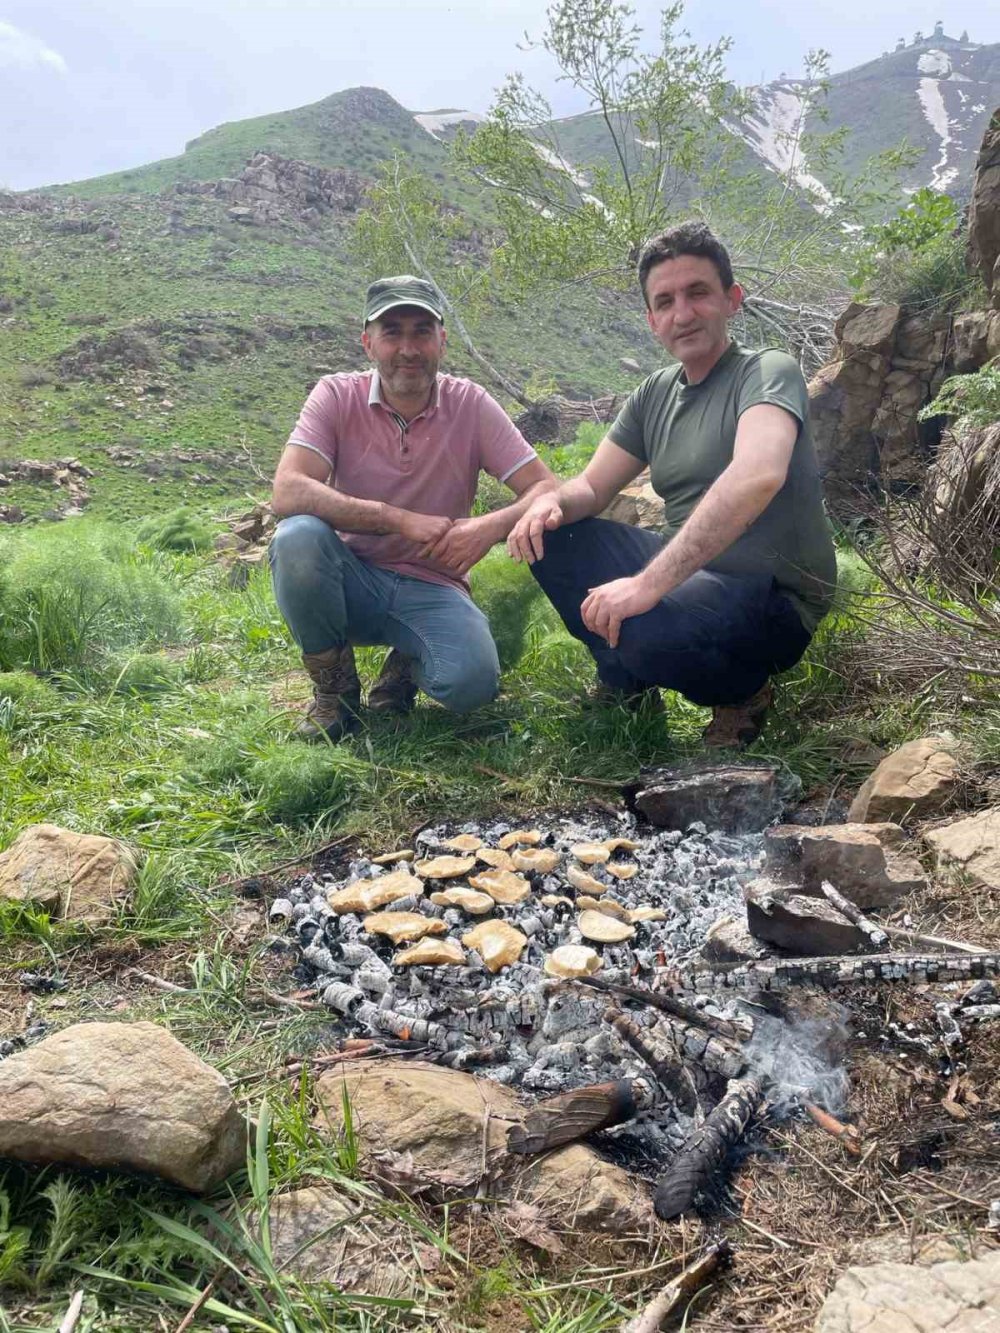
(865, 862)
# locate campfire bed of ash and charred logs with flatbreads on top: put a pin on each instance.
(558, 940)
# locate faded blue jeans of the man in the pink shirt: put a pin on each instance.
(330, 598)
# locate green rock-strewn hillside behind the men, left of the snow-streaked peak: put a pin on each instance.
(163, 326)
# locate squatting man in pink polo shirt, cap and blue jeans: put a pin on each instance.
(374, 491)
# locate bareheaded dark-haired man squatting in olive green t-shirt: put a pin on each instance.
(747, 570)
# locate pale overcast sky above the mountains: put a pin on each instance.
(97, 86)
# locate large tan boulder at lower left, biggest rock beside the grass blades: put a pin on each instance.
(121, 1096)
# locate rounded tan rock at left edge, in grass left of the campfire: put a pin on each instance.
(79, 876)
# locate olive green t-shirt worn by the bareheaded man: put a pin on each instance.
(686, 434)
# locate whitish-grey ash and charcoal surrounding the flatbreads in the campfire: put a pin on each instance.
(531, 1031)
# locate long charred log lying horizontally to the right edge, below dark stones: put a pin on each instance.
(829, 974)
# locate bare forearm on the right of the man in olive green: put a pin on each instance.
(725, 513)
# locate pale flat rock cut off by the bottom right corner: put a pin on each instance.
(907, 1299)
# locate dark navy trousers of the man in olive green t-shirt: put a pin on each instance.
(717, 638)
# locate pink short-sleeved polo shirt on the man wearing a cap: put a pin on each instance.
(430, 465)
